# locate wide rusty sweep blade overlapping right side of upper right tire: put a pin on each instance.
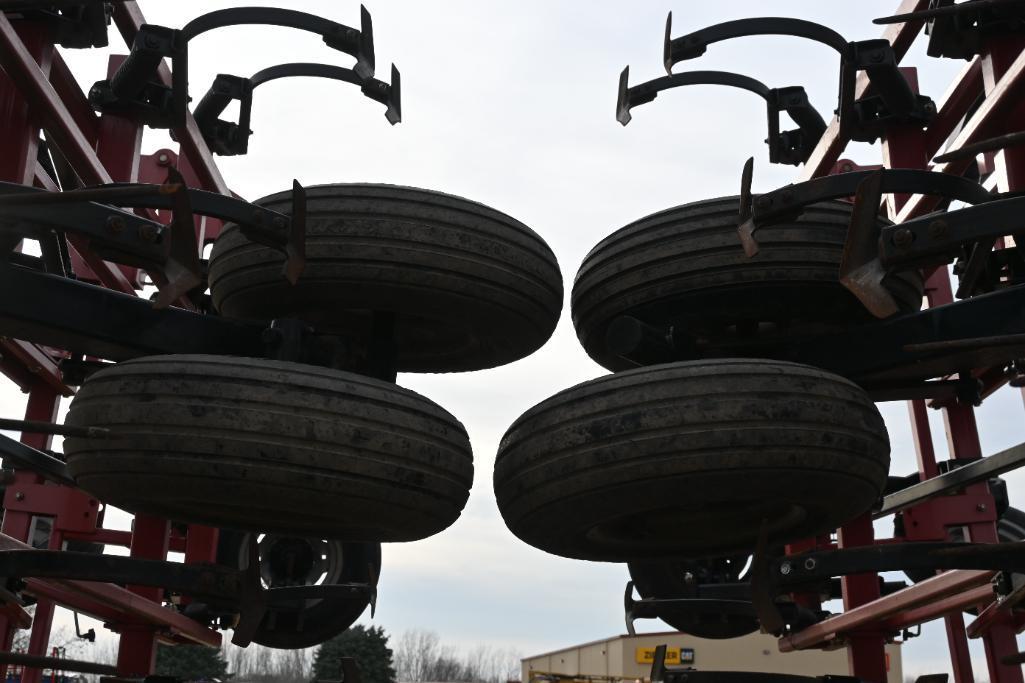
(860, 268)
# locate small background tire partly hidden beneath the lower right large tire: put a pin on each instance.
(667, 581)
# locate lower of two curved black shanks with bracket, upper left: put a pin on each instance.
(228, 139)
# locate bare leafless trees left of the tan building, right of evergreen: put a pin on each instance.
(421, 657)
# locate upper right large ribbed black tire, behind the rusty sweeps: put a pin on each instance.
(685, 268)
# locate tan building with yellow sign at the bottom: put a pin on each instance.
(629, 659)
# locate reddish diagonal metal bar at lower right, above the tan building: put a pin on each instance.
(931, 591)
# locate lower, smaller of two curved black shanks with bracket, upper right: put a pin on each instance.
(789, 147)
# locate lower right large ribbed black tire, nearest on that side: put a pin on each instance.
(685, 461)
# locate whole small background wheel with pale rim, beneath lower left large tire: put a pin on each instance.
(312, 622)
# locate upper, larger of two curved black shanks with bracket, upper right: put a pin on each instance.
(863, 120)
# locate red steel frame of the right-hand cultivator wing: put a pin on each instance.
(998, 73)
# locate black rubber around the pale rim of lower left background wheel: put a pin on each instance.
(316, 621)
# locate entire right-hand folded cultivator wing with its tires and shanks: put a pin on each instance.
(749, 338)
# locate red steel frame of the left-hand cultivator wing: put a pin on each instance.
(38, 93)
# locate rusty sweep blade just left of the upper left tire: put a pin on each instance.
(182, 268)
